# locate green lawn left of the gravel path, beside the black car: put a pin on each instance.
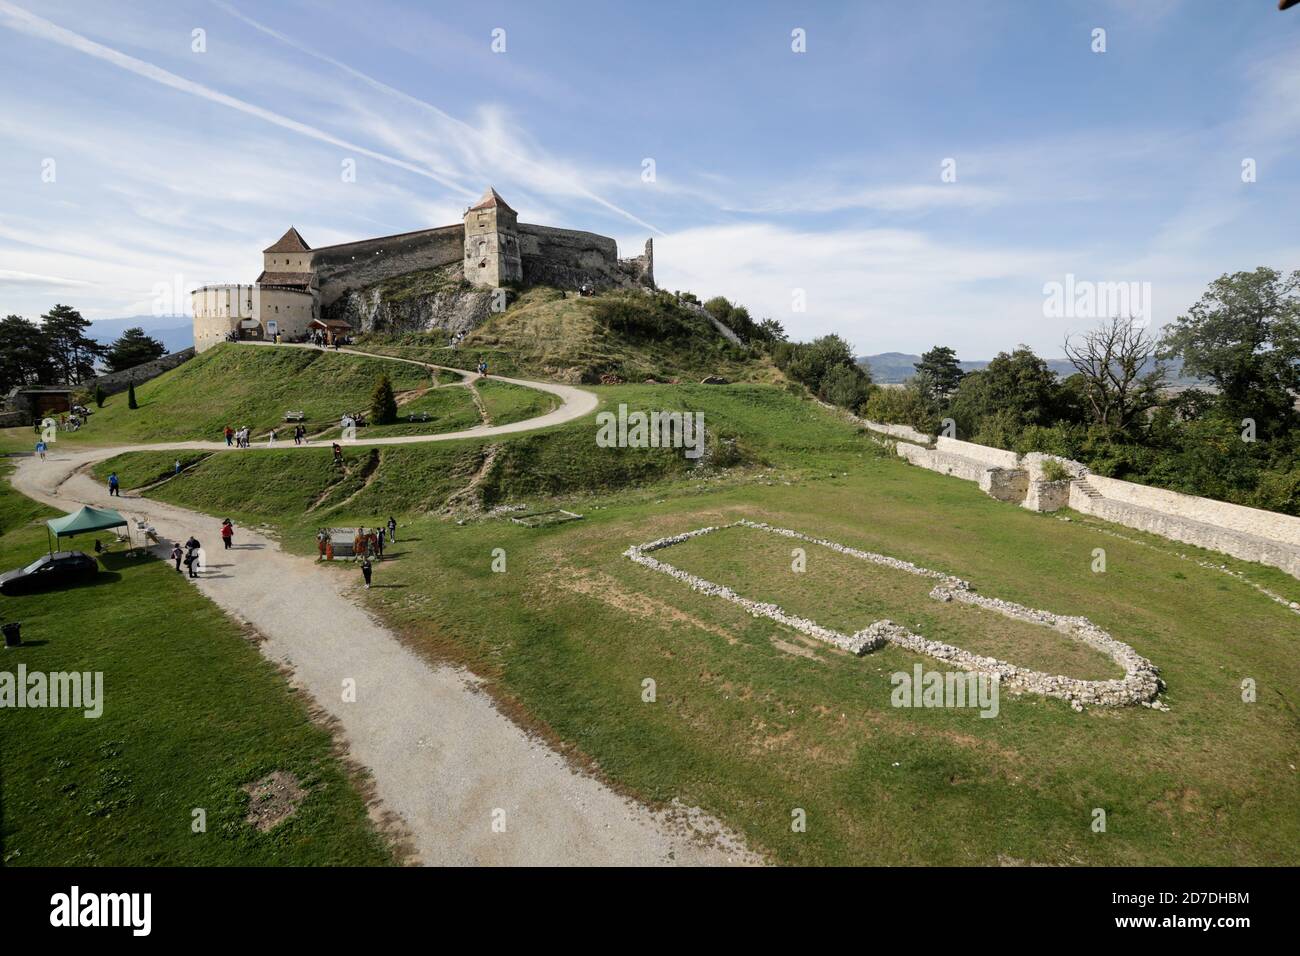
(192, 713)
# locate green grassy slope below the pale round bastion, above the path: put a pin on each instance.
(245, 386)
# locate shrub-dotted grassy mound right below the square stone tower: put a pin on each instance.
(553, 335)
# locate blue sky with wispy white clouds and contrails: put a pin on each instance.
(905, 175)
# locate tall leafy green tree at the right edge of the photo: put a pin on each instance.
(1245, 336)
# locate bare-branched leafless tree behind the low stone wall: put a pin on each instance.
(1111, 361)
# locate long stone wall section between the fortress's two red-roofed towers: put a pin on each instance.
(356, 265)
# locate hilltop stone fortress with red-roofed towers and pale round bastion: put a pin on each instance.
(304, 288)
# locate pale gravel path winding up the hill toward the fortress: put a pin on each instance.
(443, 758)
